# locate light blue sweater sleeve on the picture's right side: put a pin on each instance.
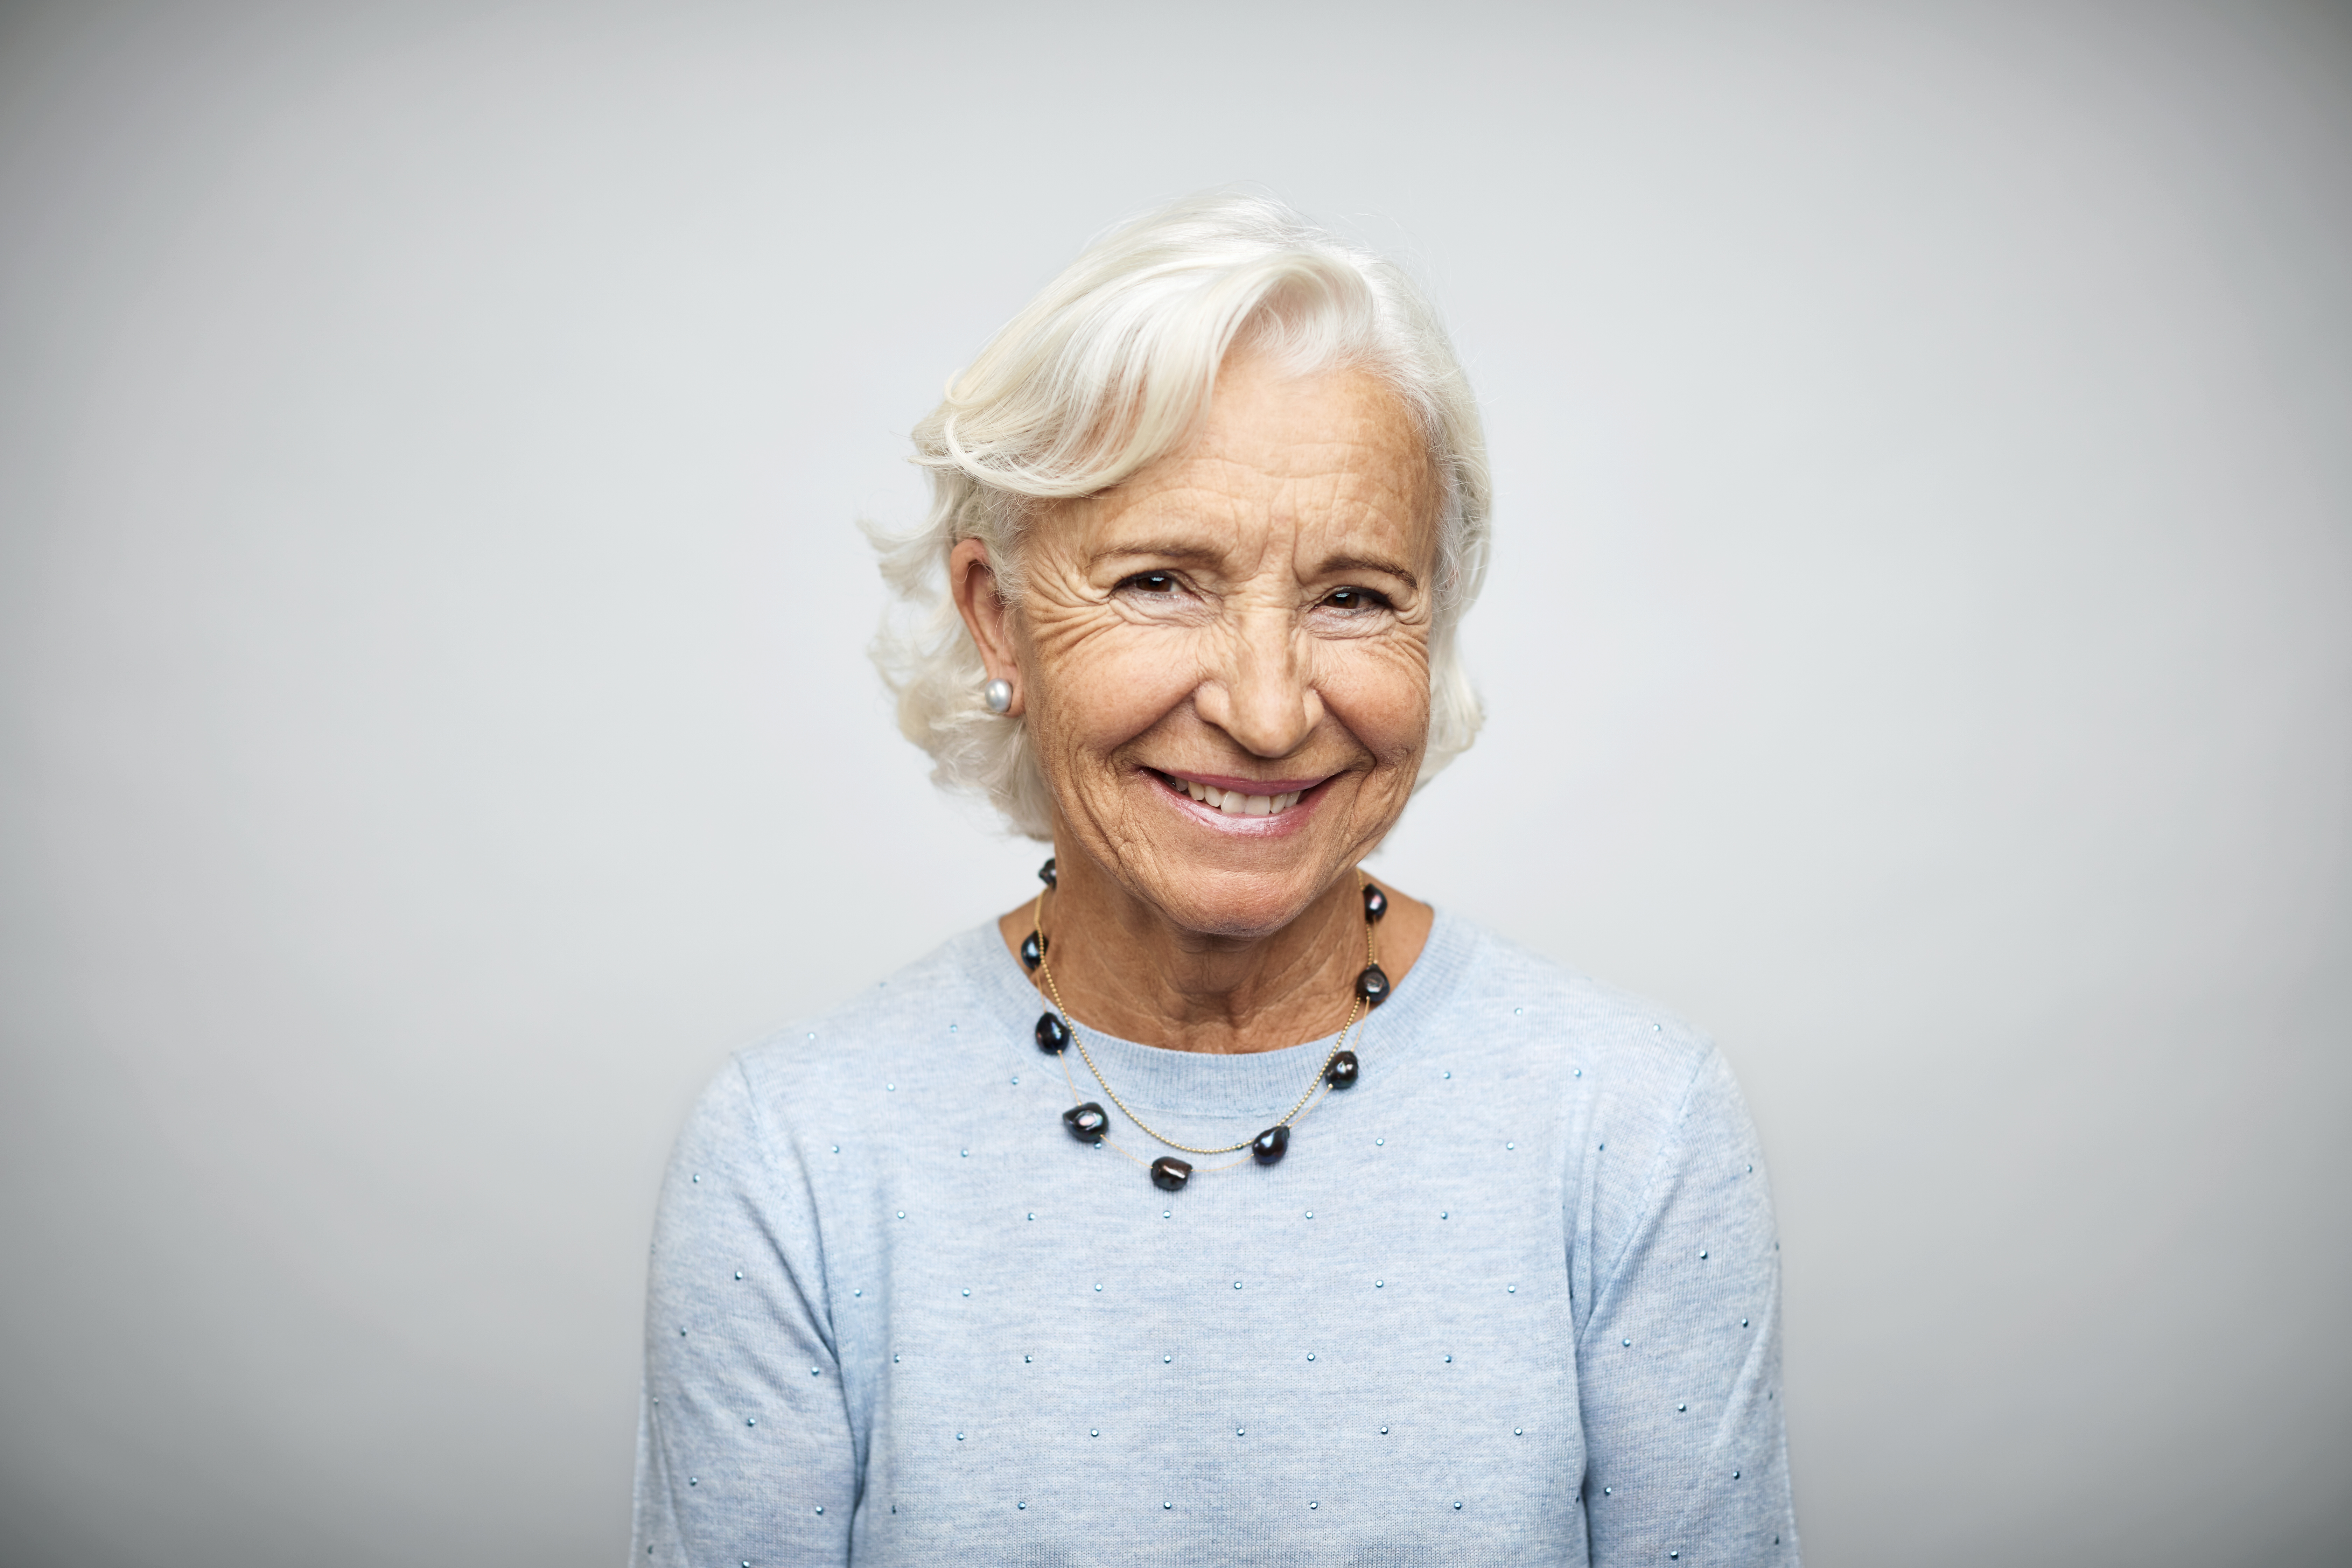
(1681, 1336)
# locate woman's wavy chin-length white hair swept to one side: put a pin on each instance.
(1109, 370)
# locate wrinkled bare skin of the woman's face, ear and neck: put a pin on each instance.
(1248, 612)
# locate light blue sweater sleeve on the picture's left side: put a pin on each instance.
(744, 1445)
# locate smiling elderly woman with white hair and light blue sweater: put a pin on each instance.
(1220, 1202)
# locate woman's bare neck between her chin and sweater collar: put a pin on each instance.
(1125, 970)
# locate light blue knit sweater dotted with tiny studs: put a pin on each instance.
(1514, 1299)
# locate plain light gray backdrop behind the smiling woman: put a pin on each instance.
(434, 723)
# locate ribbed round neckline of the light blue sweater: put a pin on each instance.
(1210, 1087)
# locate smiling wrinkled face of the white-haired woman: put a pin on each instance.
(1227, 659)
